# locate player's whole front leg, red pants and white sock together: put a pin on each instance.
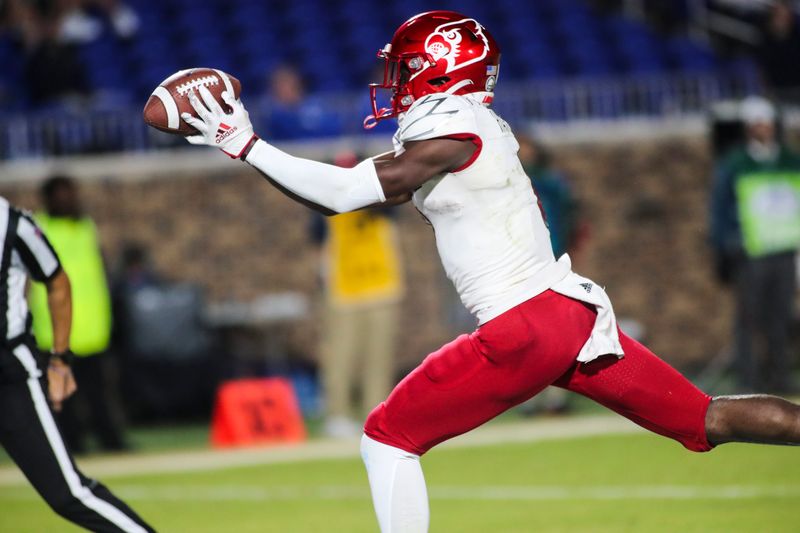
(464, 384)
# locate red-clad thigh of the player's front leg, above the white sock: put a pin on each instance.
(478, 376)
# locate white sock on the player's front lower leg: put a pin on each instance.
(398, 487)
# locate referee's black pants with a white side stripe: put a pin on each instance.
(29, 434)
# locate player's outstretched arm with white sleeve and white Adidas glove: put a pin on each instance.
(320, 185)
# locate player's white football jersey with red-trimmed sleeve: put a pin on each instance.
(490, 232)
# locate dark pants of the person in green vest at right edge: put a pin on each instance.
(765, 289)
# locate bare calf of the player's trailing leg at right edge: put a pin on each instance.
(753, 418)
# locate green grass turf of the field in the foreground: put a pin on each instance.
(609, 483)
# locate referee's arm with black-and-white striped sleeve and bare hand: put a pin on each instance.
(42, 264)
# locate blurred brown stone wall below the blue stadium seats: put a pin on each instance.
(224, 228)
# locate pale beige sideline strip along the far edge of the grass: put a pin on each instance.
(207, 460)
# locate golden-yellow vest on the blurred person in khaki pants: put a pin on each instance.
(363, 259)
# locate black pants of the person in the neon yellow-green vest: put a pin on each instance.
(94, 399)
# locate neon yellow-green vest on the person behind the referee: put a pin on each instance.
(77, 246)
